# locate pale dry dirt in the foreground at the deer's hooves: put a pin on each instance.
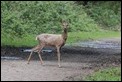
(20, 71)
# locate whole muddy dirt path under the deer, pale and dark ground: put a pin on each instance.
(75, 61)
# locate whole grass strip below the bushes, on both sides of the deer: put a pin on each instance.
(29, 40)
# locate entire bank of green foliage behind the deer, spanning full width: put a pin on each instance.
(29, 18)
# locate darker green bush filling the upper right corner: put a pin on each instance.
(106, 13)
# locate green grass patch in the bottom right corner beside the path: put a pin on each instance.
(109, 74)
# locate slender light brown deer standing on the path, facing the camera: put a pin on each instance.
(56, 40)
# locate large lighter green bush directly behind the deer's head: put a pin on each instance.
(35, 17)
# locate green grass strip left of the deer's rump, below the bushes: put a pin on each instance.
(28, 41)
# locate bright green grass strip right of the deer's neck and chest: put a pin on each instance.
(80, 36)
